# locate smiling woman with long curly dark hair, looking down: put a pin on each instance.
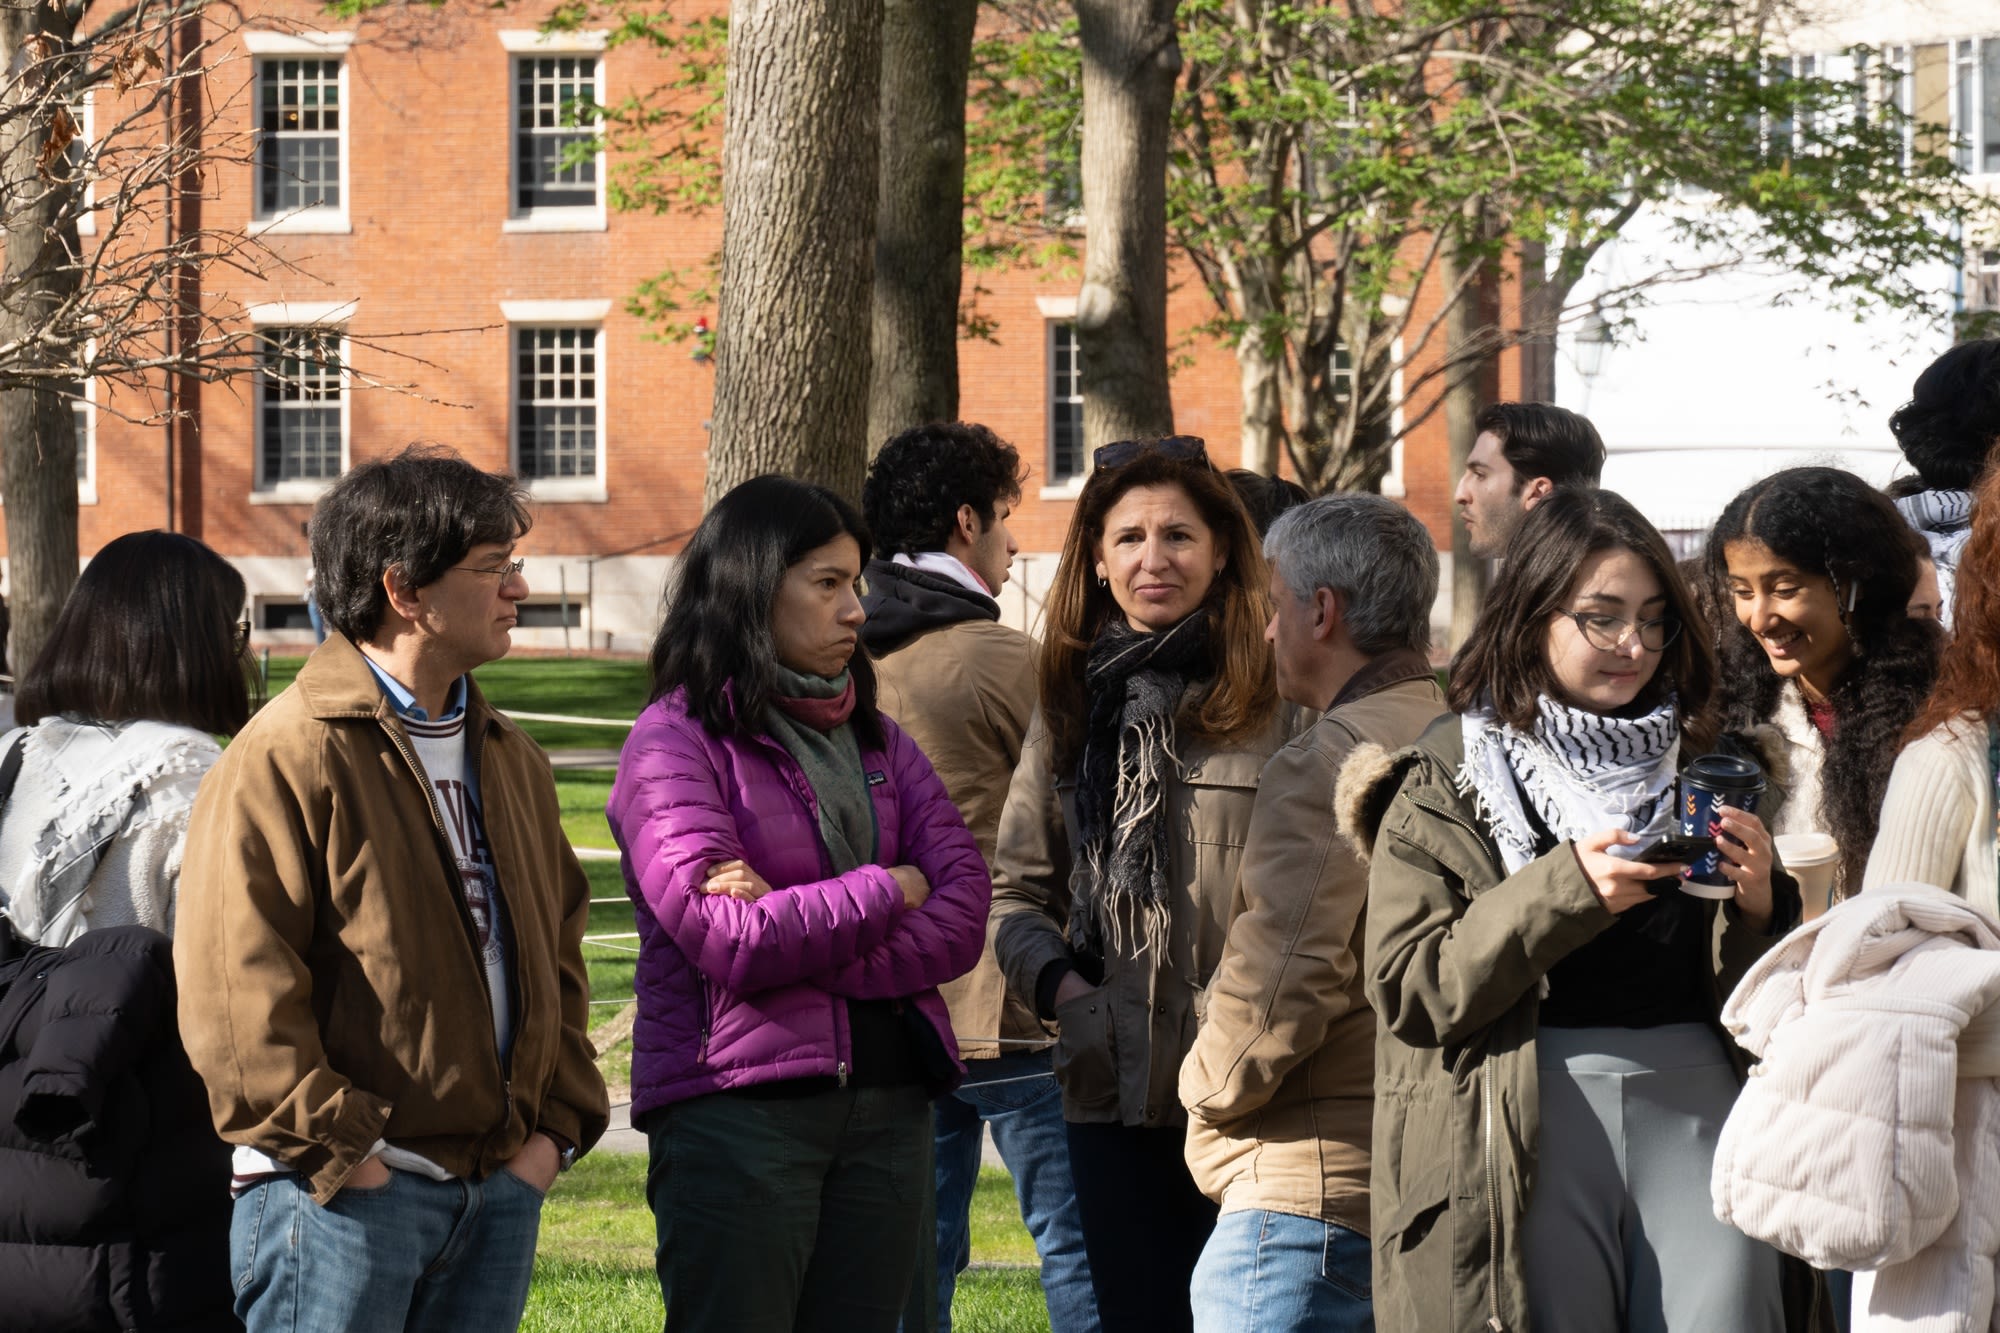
(1821, 661)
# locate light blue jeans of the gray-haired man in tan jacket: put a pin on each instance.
(1275, 1272)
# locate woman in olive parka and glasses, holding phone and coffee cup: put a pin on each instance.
(1551, 1080)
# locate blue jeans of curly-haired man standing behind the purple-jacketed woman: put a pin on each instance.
(1017, 1096)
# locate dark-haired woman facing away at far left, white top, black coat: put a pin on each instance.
(117, 1186)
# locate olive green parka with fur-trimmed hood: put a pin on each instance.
(1457, 962)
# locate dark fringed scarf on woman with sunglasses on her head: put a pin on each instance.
(1133, 688)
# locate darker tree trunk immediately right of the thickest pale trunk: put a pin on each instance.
(927, 51)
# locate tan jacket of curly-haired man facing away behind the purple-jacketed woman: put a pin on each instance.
(965, 694)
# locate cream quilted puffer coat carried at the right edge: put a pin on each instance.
(1859, 1144)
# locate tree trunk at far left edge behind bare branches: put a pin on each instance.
(37, 429)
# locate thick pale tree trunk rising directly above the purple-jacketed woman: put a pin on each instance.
(799, 201)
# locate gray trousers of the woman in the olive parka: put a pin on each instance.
(1621, 1234)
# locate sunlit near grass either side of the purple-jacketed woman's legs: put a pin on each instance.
(593, 1272)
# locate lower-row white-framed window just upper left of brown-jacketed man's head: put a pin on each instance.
(301, 409)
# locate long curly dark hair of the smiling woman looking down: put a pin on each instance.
(1831, 523)
